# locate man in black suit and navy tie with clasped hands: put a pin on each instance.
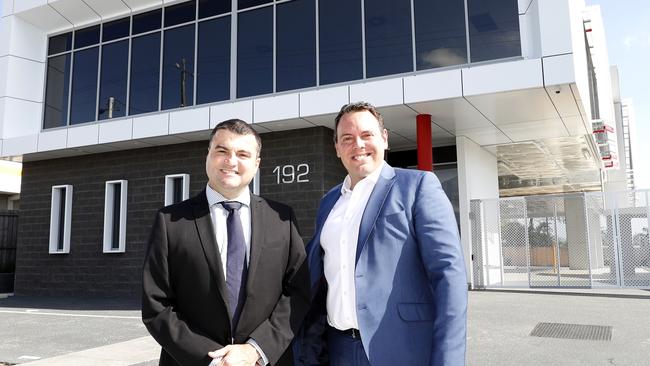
(225, 280)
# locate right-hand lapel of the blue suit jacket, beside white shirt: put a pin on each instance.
(375, 203)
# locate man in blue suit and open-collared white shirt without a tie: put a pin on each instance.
(387, 270)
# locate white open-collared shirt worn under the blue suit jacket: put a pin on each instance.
(339, 241)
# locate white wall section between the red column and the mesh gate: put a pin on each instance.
(477, 179)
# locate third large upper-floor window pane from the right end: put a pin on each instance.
(389, 48)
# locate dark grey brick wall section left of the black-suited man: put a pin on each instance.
(86, 270)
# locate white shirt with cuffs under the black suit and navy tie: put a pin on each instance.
(219, 215)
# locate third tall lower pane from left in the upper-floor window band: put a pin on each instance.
(112, 84)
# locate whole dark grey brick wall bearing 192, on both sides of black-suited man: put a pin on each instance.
(86, 270)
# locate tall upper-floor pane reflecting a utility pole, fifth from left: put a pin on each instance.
(178, 67)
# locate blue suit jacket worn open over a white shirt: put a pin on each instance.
(411, 287)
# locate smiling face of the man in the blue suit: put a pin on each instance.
(360, 144)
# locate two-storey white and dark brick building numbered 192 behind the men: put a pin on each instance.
(108, 105)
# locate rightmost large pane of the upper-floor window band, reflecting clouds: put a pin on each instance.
(493, 29)
